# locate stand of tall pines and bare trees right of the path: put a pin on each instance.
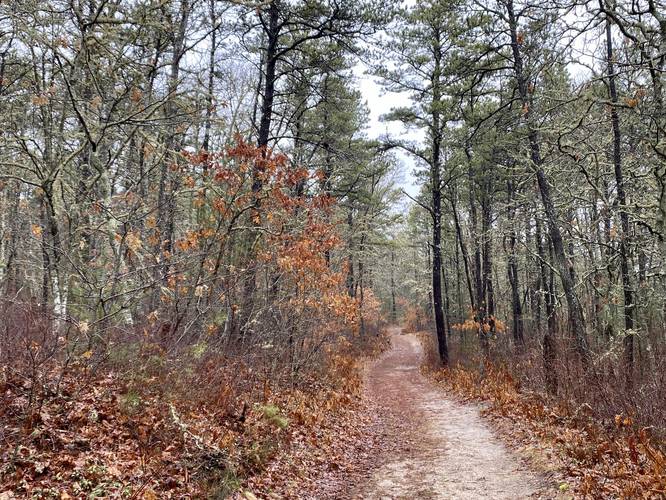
(541, 211)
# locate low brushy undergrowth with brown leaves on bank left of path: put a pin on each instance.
(146, 424)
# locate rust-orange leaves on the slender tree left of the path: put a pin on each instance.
(298, 231)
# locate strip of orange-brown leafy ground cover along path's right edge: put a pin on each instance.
(592, 457)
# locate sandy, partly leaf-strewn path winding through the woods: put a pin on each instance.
(445, 449)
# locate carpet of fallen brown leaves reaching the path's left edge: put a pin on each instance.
(106, 434)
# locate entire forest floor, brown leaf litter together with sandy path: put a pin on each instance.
(397, 428)
